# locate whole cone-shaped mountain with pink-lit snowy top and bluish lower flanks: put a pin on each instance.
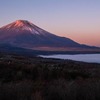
(22, 33)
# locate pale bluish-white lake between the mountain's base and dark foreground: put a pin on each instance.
(93, 58)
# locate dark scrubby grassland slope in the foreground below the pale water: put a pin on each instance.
(23, 78)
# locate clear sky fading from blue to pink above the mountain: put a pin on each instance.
(76, 19)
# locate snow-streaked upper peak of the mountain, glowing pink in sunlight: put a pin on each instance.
(23, 25)
